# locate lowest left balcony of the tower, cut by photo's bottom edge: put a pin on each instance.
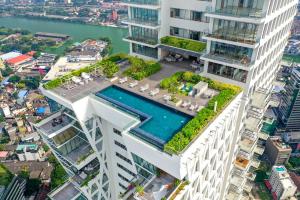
(66, 191)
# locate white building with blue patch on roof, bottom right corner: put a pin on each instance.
(281, 183)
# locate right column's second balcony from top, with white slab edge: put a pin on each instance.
(233, 36)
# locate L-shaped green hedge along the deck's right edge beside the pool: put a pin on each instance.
(195, 127)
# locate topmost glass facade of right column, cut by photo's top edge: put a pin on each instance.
(247, 8)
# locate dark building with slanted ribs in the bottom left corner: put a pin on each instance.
(15, 190)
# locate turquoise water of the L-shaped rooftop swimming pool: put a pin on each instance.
(163, 123)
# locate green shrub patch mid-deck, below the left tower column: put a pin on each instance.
(140, 68)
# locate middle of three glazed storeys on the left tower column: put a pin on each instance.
(145, 35)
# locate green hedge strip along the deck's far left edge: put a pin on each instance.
(108, 66)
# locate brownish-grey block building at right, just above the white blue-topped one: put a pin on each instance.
(277, 151)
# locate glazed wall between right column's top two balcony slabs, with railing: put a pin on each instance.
(235, 31)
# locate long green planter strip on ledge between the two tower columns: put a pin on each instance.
(182, 43)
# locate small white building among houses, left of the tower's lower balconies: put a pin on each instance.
(29, 152)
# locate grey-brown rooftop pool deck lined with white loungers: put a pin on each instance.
(167, 70)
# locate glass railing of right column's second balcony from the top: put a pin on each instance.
(235, 35)
